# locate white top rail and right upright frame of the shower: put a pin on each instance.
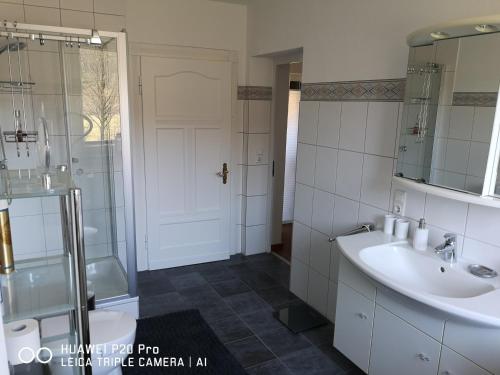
(123, 88)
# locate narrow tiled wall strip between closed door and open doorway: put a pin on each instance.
(255, 167)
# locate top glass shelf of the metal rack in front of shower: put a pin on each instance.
(27, 183)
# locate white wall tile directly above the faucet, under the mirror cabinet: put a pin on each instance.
(446, 213)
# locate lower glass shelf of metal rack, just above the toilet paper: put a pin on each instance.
(37, 289)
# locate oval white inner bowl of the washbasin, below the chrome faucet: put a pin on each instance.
(422, 272)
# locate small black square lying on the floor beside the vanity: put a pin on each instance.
(300, 317)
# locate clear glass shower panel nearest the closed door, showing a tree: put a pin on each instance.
(93, 114)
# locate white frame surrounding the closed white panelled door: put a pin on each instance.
(136, 52)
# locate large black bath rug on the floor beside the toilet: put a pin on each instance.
(185, 336)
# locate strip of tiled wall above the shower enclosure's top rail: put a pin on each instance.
(100, 14)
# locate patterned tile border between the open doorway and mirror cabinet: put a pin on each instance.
(387, 90)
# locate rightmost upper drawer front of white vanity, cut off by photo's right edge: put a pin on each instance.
(479, 344)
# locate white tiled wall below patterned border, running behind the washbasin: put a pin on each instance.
(345, 164)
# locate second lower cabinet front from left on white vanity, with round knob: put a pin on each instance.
(399, 348)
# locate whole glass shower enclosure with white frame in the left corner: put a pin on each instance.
(64, 106)
